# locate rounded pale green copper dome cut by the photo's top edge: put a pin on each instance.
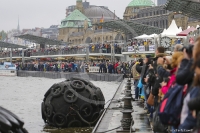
(143, 3)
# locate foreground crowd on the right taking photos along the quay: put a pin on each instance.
(170, 87)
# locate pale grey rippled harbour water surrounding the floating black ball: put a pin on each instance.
(23, 96)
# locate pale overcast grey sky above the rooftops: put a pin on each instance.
(43, 13)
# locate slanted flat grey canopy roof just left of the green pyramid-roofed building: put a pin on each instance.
(41, 40)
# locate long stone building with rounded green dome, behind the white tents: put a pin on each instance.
(145, 12)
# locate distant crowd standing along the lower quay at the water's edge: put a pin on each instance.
(117, 67)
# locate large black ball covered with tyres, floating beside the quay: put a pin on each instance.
(72, 103)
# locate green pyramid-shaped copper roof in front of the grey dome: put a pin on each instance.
(74, 20)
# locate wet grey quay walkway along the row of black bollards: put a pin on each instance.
(112, 116)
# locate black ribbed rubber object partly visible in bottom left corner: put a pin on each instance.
(10, 123)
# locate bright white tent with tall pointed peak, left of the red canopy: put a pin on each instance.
(172, 30)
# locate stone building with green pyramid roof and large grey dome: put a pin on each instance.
(77, 27)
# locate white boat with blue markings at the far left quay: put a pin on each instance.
(8, 69)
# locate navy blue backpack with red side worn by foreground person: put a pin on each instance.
(171, 105)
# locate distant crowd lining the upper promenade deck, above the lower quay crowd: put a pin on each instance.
(93, 48)
